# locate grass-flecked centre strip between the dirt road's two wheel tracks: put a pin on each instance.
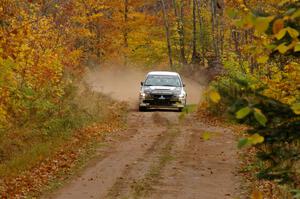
(133, 183)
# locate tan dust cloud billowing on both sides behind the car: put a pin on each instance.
(123, 84)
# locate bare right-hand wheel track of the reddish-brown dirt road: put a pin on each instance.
(201, 169)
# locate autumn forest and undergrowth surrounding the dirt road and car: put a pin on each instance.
(245, 52)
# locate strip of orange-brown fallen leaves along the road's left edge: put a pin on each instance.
(61, 163)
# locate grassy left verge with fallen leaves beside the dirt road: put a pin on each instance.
(78, 123)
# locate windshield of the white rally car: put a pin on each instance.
(163, 80)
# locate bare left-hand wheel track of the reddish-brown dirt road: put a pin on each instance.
(144, 135)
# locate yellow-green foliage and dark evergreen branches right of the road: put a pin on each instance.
(261, 87)
